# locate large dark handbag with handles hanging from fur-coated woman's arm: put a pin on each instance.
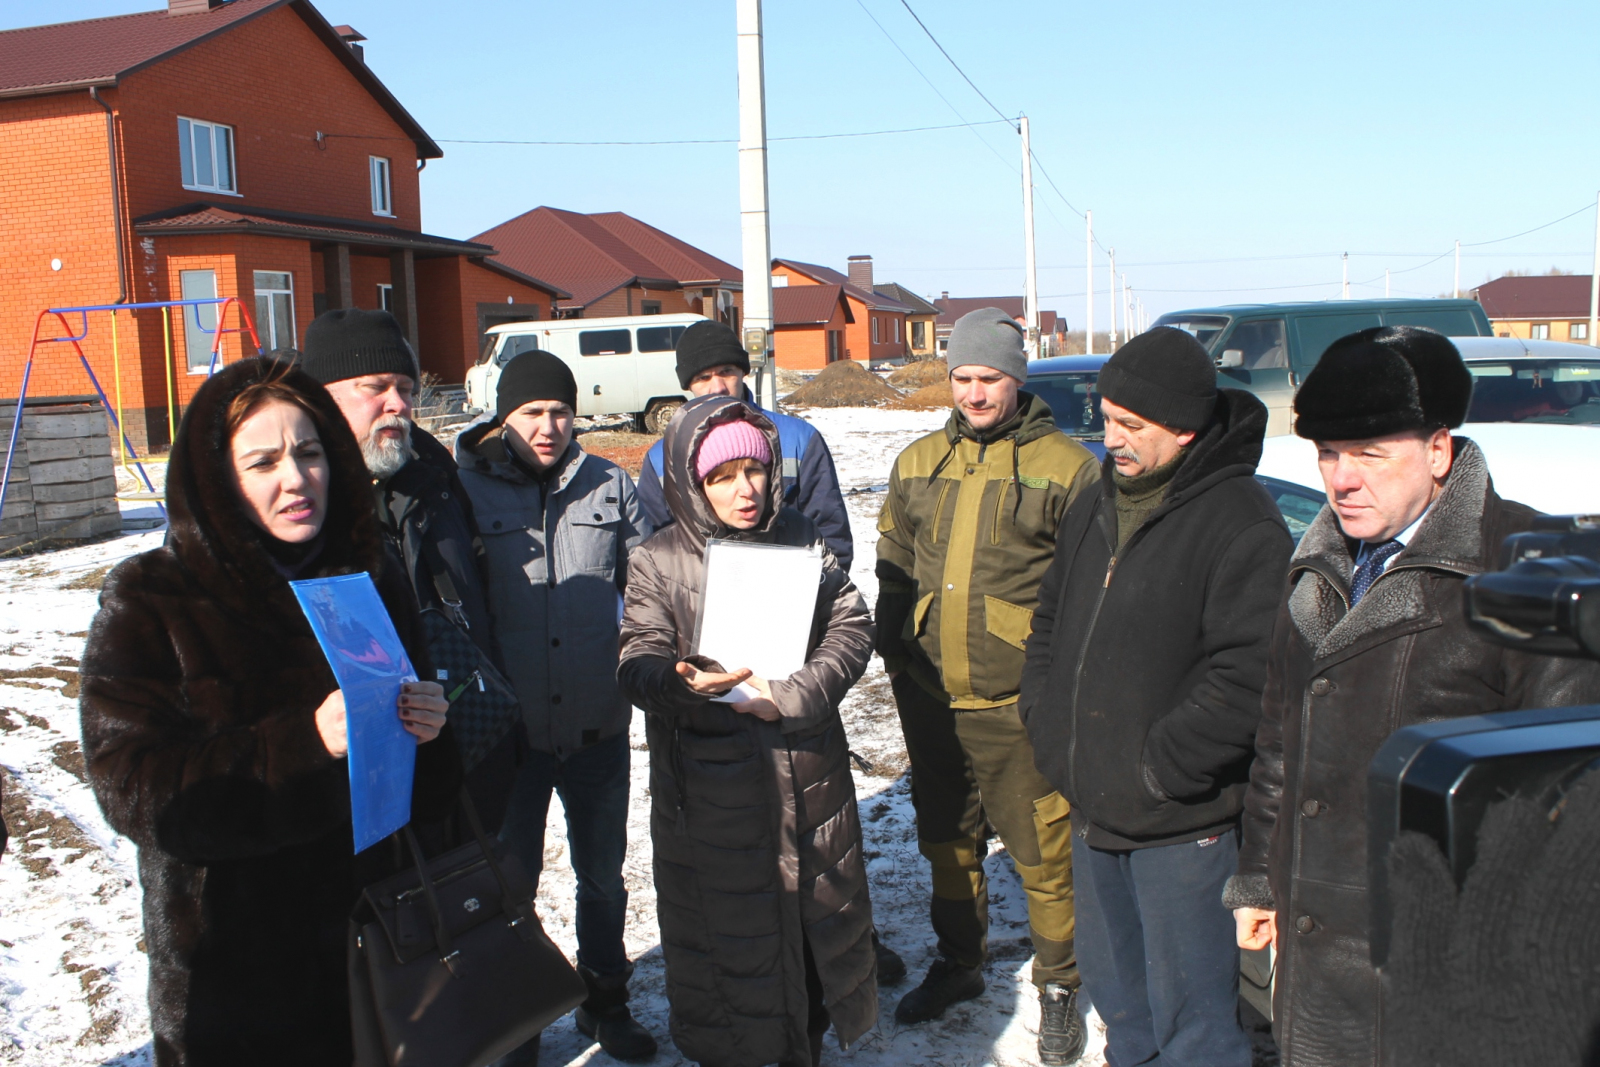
(449, 964)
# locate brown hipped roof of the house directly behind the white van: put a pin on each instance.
(593, 255)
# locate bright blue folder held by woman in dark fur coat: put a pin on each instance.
(353, 626)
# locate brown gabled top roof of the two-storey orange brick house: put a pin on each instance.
(100, 52)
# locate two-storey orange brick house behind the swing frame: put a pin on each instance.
(220, 150)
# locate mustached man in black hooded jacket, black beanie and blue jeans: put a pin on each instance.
(1143, 692)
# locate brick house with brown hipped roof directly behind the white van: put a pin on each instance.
(614, 265)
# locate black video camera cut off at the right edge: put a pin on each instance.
(1441, 778)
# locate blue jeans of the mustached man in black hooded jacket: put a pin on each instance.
(1158, 953)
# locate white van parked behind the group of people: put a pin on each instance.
(623, 366)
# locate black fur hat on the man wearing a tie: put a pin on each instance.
(1380, 382)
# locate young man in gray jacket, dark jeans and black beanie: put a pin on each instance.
(558, 526)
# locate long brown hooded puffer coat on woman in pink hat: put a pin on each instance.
(754, 825)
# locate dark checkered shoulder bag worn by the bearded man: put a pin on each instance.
(482, 703)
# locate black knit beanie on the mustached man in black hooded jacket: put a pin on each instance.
(1166, 377)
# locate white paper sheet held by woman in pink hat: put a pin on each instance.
(758, 609)
